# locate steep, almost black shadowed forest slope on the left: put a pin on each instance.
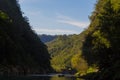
(21, 51)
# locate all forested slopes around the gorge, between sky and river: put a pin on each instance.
(94, 54)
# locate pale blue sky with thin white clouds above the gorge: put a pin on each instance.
(58, 16)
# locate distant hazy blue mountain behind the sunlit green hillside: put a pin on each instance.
(47, 38)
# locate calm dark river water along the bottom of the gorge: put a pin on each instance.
(40, 77)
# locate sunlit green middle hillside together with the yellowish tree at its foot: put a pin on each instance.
(66, 53)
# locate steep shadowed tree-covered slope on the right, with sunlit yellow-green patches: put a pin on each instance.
(102, 46)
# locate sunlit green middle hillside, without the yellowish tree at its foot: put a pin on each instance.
(63, 49)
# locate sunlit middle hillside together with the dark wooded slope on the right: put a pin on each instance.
(96, 47)
